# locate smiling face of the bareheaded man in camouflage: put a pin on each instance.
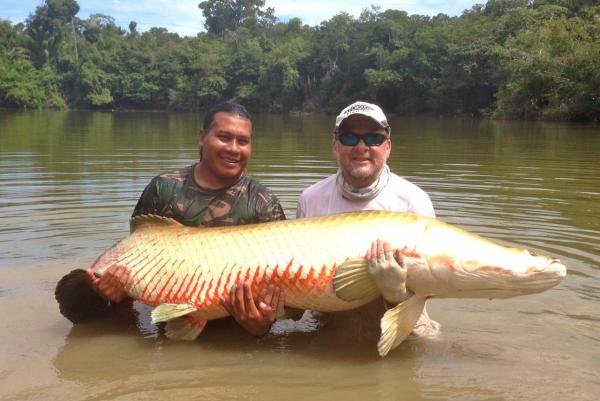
(226, 148)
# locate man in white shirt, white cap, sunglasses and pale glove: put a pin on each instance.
(361, 146)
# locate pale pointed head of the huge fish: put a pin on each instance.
(459, 264)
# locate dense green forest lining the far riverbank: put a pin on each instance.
(518, 59)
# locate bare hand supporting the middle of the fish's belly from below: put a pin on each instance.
(254, 315)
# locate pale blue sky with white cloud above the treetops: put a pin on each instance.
(185, 18)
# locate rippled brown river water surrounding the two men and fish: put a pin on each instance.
(68, 184)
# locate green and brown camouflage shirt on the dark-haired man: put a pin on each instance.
(177, 195)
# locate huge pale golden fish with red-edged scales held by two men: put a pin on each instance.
(318, 262)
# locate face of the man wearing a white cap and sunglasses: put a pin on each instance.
(361, 164)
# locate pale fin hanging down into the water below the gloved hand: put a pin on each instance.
(398, 322)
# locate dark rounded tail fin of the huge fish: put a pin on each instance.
(77, 300)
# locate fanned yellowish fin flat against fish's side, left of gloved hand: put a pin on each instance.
(352, 280)
